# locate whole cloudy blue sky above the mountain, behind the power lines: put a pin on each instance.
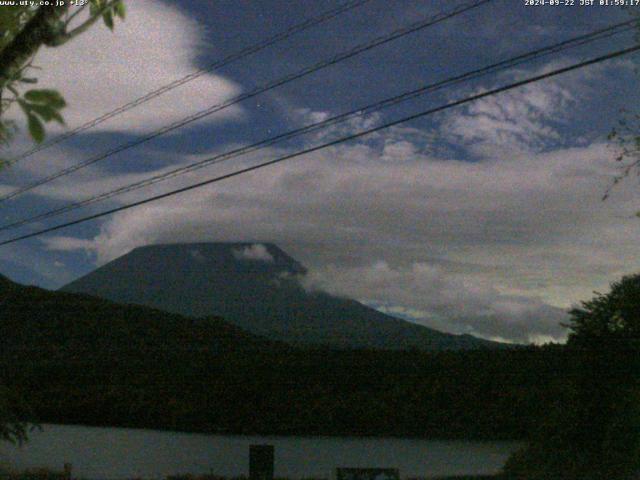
(485, 219)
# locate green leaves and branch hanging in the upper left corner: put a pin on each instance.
(23, 30)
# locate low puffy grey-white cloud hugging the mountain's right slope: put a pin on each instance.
(430, 295)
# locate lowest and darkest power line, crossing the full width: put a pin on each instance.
(354, 136)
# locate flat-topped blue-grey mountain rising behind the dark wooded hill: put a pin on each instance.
(256, 287)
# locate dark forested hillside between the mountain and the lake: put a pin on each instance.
(77, 359)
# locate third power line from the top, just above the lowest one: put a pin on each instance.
(574, 42)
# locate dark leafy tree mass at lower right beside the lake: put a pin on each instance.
(594, 432)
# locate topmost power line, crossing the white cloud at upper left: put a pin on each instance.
(239, 55)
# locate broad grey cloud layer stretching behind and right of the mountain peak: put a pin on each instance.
(497, 248)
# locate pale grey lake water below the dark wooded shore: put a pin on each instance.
(118, 453)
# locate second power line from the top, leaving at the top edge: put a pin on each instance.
(396, 34)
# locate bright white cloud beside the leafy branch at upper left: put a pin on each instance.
(101, 70)
